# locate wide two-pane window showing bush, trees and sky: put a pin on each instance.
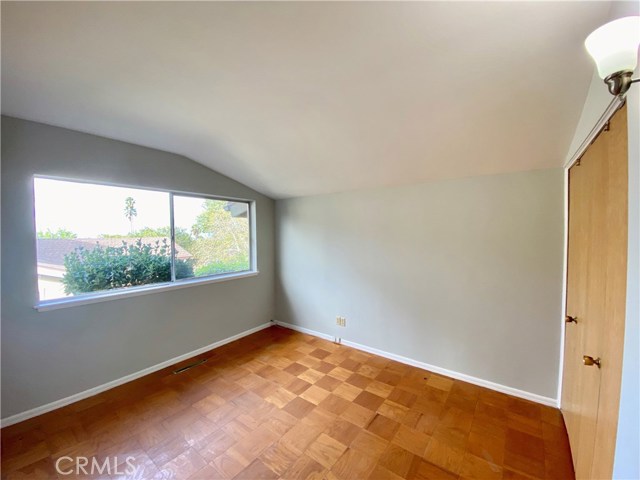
(96, 239)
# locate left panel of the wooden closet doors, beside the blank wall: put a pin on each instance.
(581, 385)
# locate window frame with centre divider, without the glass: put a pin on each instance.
(173, 284)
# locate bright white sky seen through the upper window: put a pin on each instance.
(89, 210)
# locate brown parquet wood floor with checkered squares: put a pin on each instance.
(280, 404)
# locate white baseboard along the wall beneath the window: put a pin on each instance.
(63, 402)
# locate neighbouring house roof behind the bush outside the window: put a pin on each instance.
(51, 251)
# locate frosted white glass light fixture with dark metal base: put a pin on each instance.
(614, 47)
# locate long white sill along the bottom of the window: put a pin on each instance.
(56, 304)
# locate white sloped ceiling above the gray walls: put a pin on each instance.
(307, 98)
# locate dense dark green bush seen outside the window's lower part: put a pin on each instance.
(106, 268)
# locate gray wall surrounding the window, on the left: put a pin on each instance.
(47, 356)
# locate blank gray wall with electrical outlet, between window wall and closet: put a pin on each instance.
(461, 274)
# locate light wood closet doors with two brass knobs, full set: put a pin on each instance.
(596, 293)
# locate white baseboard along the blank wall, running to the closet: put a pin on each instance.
(552, 402)
